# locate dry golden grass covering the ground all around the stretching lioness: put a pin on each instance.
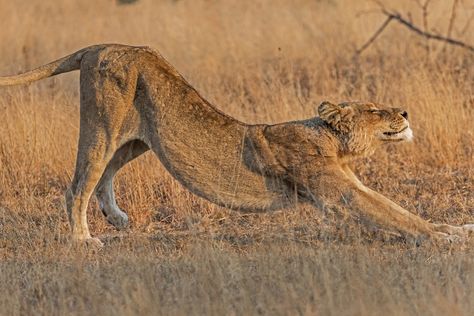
(261, 61)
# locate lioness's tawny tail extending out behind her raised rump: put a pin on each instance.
(66, 64)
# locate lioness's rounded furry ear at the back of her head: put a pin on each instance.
(339, 117)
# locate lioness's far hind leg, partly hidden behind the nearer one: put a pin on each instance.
(105, 191)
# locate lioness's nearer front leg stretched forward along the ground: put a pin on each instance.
(336, 188)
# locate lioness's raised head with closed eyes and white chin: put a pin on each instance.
(362, 126)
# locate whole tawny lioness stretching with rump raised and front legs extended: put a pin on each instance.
(132, 100)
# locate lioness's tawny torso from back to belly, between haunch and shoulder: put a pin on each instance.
(200, 146)
